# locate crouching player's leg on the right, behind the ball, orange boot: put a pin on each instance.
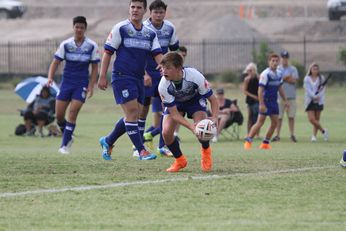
(206, 158)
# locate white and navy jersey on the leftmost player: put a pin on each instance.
(77, 59)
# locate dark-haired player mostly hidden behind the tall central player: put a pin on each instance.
(168, 40)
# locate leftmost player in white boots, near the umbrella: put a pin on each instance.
(78, 52)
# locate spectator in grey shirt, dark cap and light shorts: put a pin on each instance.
(289, 77)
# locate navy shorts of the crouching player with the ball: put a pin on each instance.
(190, 107)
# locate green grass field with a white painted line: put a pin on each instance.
(291, 187)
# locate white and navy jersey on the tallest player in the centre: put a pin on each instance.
(133, 48)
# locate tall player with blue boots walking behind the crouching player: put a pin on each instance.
(134, 44)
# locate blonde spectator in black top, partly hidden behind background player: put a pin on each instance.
(250, 89)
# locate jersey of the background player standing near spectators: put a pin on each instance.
(271, 81)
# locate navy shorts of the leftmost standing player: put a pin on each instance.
(69, 92)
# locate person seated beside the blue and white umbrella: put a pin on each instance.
(40, 112)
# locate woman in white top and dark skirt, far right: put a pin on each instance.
(314, 100)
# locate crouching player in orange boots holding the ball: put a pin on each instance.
(184, 91)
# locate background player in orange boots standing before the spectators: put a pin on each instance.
(270, 84)
